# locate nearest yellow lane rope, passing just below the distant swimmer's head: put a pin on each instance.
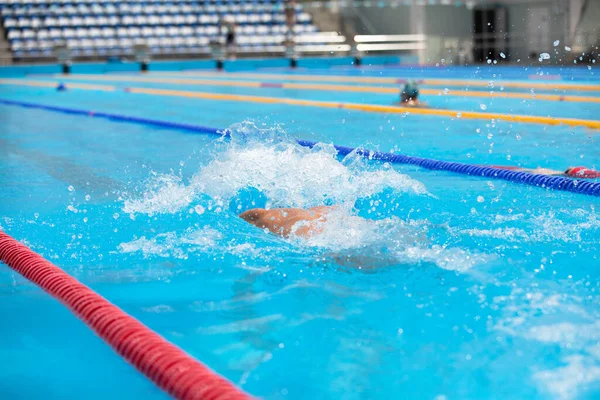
(329, 104)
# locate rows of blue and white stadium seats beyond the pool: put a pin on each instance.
(113, 26)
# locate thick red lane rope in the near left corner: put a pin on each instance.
(165, 364)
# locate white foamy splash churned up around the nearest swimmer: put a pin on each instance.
(290, 175)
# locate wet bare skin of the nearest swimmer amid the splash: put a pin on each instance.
(282, 221)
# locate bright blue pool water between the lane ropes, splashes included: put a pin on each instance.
(425, 284)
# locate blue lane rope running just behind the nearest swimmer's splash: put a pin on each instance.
(526, 178)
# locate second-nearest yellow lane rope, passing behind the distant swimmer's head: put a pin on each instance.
(330, 87)
